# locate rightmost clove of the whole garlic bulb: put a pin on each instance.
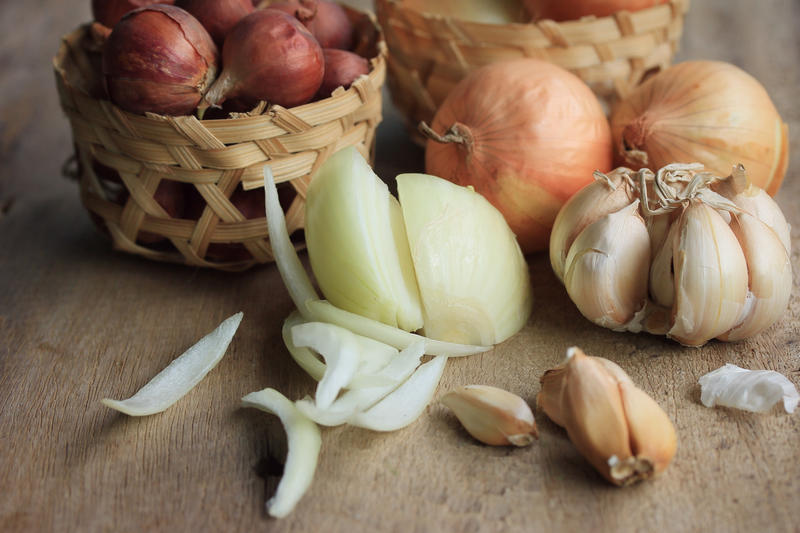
(770, 277)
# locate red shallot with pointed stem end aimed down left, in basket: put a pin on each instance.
(269, 56)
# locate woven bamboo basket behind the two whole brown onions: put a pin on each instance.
(429, 54)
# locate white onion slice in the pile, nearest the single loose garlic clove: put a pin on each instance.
(406, 403)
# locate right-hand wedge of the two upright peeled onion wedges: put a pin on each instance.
(472, 276)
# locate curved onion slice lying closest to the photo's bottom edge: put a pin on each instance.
(304, 441)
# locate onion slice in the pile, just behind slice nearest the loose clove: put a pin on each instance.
(358, 400)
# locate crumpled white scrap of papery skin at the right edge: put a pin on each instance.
(751, 390)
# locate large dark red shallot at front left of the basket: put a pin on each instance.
(159, 59)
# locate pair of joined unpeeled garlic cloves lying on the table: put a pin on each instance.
(617, 427)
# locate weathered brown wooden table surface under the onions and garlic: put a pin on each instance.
(79, 322)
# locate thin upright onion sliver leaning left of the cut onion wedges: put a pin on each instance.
(294, 275)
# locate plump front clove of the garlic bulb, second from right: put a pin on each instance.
(710, 276)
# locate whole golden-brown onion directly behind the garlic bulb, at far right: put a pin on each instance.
(703, 111)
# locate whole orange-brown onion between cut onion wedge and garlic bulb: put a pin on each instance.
(532, 133)
